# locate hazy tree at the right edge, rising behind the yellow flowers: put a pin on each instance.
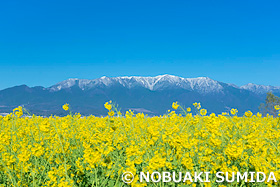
(270, 101)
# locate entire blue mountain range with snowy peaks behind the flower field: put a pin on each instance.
(150, 95)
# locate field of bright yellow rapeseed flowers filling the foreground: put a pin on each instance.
(95, 151)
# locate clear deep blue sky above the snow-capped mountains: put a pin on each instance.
(44, 42)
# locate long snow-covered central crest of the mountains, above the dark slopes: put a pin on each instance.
(200, 84)
